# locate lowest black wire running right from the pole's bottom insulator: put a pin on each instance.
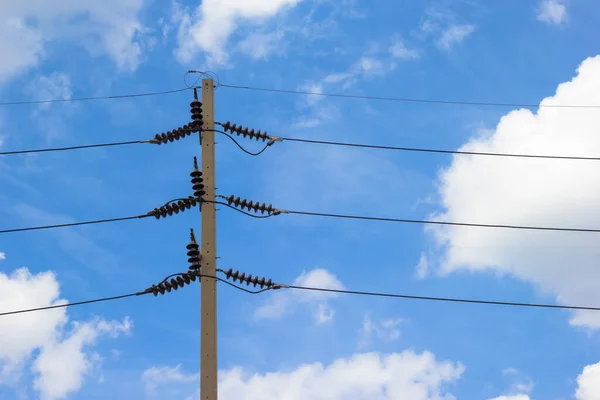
(446, 299)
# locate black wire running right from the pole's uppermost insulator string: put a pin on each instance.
(424, 150)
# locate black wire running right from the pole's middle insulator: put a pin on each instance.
(432, 222)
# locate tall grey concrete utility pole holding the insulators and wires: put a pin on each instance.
(208, 286)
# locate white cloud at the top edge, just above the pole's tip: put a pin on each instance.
(214, 21)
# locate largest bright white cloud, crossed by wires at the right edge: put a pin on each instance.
(532, 192)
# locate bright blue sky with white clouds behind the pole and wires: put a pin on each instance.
(289, 344)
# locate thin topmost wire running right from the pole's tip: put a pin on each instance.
(410, 100)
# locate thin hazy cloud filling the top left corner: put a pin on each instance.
(109, 27)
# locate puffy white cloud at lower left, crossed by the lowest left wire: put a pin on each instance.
(64, 356)
